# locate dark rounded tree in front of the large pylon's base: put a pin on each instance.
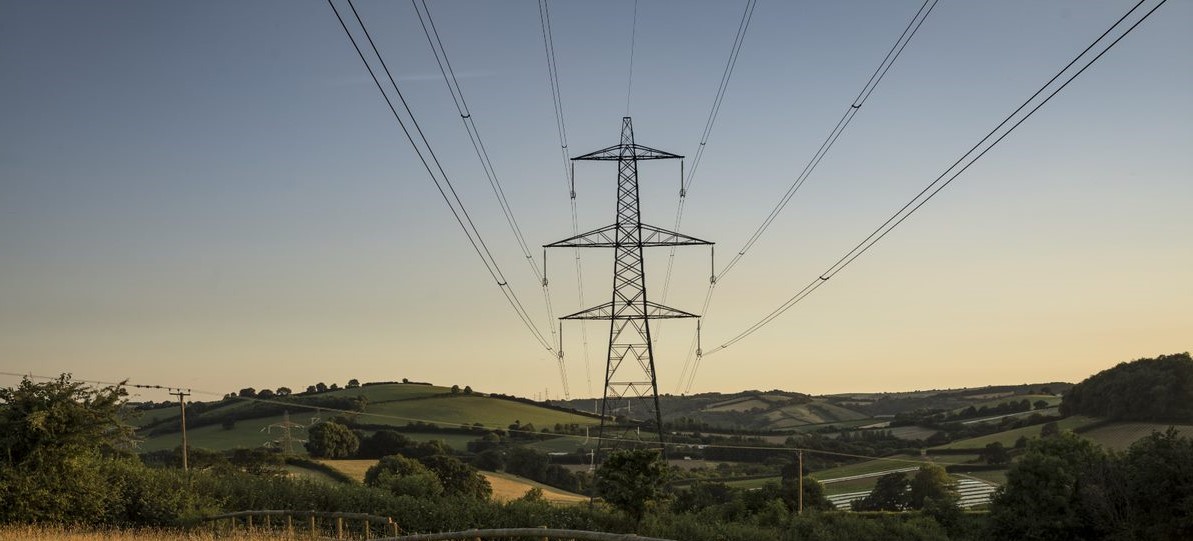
(631, 481)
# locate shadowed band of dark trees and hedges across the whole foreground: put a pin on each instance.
(67, 463)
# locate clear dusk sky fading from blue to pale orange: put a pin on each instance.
(215, 196)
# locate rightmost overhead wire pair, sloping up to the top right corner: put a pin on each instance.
(935, 188)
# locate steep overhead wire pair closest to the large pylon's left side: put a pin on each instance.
(553, 78)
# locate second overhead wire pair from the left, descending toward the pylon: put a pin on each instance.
(474, 134)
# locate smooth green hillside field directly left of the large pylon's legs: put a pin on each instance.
(467, 410)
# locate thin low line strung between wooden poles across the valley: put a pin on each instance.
(465, 426)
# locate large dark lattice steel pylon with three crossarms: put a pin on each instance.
(631, 367)
